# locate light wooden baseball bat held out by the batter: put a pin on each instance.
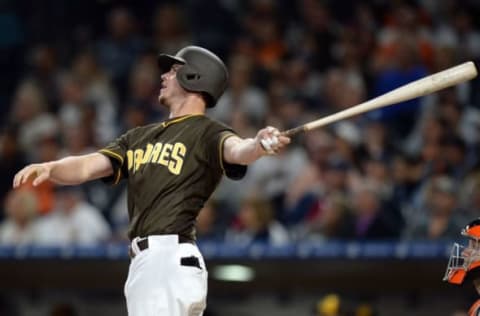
(438, 81)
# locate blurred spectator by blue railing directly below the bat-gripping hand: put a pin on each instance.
(255, 223)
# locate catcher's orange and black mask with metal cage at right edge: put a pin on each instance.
(464, 258)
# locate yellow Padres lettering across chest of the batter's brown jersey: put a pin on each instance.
(168, 155)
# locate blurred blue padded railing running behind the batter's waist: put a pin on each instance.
(349, 250)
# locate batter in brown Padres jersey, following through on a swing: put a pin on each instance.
(172, 168)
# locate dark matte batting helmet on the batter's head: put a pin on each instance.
(203, 71)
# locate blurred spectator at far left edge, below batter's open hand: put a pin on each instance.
(19, 227)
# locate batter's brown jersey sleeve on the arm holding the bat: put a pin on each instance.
(217, 136)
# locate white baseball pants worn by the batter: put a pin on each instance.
(158, 284)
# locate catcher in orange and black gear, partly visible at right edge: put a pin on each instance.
(464, 262)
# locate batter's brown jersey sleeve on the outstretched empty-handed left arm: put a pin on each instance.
(116, 151)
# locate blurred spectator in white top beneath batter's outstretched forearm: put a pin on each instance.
(74, 222)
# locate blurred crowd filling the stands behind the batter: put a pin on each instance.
(74, 82)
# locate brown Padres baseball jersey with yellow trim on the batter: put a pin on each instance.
(172, 168)
